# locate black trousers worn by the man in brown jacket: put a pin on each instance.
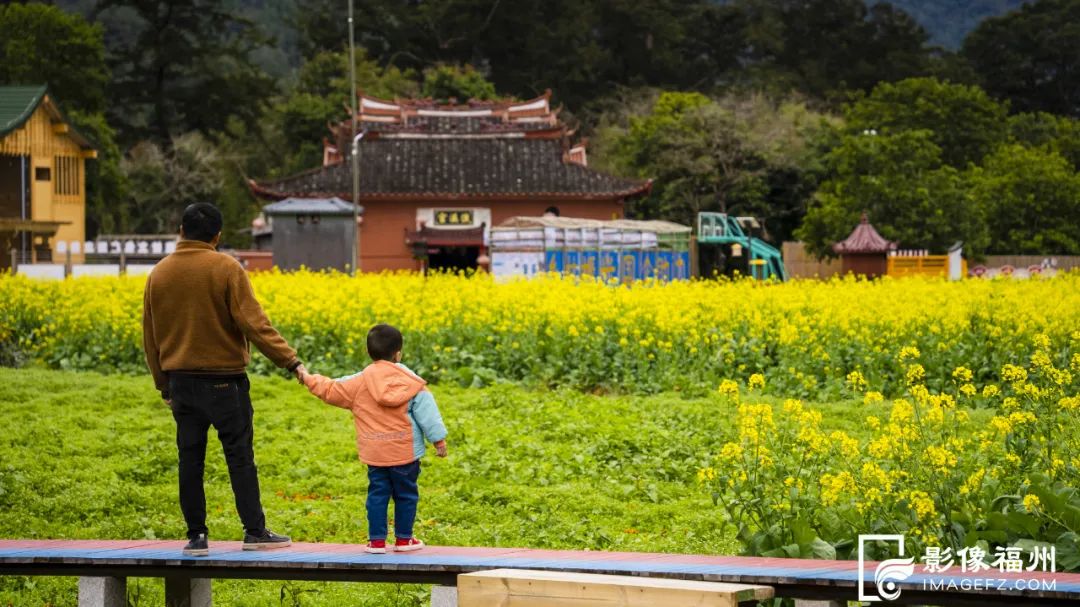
(200, 402)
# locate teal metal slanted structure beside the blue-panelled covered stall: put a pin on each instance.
(763, 261)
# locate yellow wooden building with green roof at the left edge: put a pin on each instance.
(43, 177)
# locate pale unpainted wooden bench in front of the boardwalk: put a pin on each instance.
(526, 588)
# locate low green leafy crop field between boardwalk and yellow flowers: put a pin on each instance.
(90, 456)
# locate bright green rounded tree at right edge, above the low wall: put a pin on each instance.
(1031, 199)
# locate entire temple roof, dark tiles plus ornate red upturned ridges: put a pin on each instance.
(423, 151)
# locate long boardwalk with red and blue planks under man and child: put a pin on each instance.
(441, 565)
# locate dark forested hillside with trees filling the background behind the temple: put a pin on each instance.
(802, 113)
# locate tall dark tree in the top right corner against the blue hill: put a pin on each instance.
(1030, 57)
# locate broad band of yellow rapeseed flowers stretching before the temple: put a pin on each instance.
(815, 341)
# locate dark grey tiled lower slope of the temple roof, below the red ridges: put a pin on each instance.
(461, 169)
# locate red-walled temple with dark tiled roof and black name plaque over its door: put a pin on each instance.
(435, 179)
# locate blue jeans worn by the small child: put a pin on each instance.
(397, 482)
